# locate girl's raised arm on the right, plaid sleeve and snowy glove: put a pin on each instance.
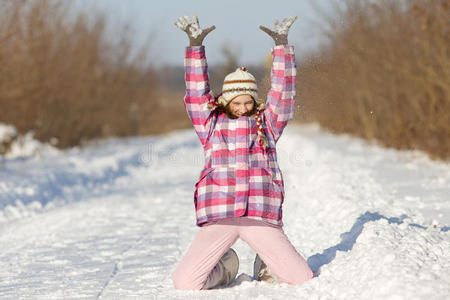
(281, 97)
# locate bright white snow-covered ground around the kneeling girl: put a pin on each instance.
(112, 220)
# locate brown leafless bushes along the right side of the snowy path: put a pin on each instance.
(384, 74)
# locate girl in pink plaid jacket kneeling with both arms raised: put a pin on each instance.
(240, 191)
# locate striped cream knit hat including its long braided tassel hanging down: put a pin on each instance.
(241, 82)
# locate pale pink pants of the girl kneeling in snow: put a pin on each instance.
(216, 237)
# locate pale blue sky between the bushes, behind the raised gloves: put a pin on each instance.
(236, 23)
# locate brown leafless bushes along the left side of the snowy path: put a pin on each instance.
(60, 76)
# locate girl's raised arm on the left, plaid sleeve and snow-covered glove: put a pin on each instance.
(198, 92)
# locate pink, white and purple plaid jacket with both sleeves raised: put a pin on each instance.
(240, 178)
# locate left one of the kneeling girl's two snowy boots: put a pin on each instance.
(224, 272)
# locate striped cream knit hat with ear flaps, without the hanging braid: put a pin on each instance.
(239, 82)
